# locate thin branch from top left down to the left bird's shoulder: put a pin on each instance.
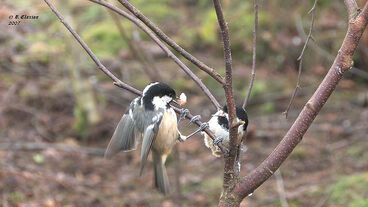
(117, 82)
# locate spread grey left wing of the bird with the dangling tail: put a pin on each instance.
(123, 138)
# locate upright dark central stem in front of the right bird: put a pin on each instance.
(229, 160)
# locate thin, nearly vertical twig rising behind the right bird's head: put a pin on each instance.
(254, 58)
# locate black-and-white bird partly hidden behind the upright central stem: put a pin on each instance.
(219, 125)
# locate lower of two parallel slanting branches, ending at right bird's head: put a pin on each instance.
(163, 47)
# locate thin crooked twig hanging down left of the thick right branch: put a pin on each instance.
(300, 58)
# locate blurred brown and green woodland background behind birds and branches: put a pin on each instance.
(58, 111)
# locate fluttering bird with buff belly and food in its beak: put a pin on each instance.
(152, 117)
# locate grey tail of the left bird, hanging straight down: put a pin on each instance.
(161, 178)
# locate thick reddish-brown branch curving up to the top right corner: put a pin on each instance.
(295, 134)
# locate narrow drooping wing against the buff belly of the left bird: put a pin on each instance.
(149, 136)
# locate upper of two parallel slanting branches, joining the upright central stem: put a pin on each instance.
(171, 43)
